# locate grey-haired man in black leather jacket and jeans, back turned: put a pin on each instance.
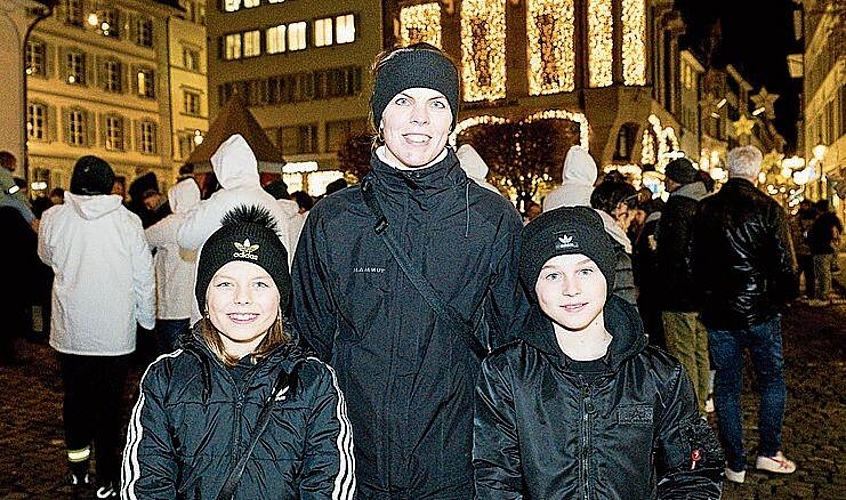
(745, 269)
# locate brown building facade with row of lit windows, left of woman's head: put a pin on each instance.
(303, 69)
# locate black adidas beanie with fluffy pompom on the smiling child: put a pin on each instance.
(247, 233)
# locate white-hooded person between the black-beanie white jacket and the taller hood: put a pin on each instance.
(175, 267)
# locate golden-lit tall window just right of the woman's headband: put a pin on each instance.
(483, 49)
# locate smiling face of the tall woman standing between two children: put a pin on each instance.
(415, 126)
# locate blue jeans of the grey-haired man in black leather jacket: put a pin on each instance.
(764, 344)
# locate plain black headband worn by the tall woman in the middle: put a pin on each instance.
(414, 68)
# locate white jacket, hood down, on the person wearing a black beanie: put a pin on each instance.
(104, 281)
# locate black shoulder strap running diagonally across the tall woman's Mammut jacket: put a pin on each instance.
(423, 286)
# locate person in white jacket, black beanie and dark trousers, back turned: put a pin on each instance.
(103, 288)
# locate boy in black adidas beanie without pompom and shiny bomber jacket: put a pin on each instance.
(579, 405)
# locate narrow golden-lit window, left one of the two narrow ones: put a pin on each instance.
(601, 43)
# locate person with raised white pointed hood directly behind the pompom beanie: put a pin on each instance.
(236, 168)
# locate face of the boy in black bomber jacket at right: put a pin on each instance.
(571, 291)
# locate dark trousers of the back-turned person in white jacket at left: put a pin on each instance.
(93, 408)
